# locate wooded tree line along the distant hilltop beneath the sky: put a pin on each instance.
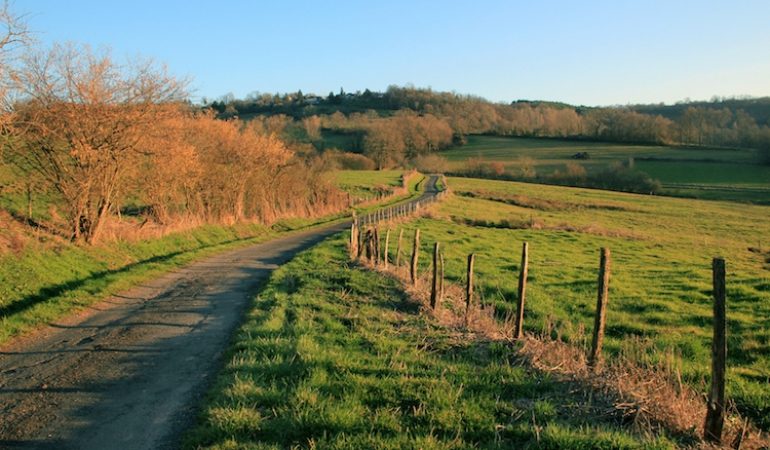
(698, 125)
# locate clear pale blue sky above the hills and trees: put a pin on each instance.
(580, 52)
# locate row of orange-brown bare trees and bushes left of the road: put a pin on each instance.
(98, 135)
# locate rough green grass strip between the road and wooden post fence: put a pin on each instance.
(332, 356)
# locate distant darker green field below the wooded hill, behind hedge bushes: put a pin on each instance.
(702, 173)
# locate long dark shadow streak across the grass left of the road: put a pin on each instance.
(48, 292)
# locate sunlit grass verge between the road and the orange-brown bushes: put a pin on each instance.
(45, 281)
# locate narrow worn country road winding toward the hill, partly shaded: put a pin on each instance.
(131, 371)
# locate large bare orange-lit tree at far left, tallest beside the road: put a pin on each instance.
(84, 122)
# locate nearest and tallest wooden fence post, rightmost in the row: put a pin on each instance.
(715, 408)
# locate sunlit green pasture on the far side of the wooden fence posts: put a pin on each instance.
(661, 279)
